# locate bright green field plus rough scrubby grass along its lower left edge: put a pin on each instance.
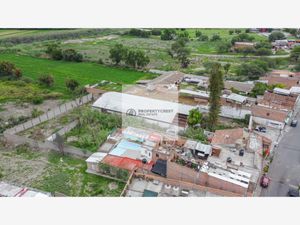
(85, 73)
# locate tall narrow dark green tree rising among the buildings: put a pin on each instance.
(216, 85)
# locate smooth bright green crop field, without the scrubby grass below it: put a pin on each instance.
(84, 73)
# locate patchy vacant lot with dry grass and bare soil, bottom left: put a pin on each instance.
(52, 172)
